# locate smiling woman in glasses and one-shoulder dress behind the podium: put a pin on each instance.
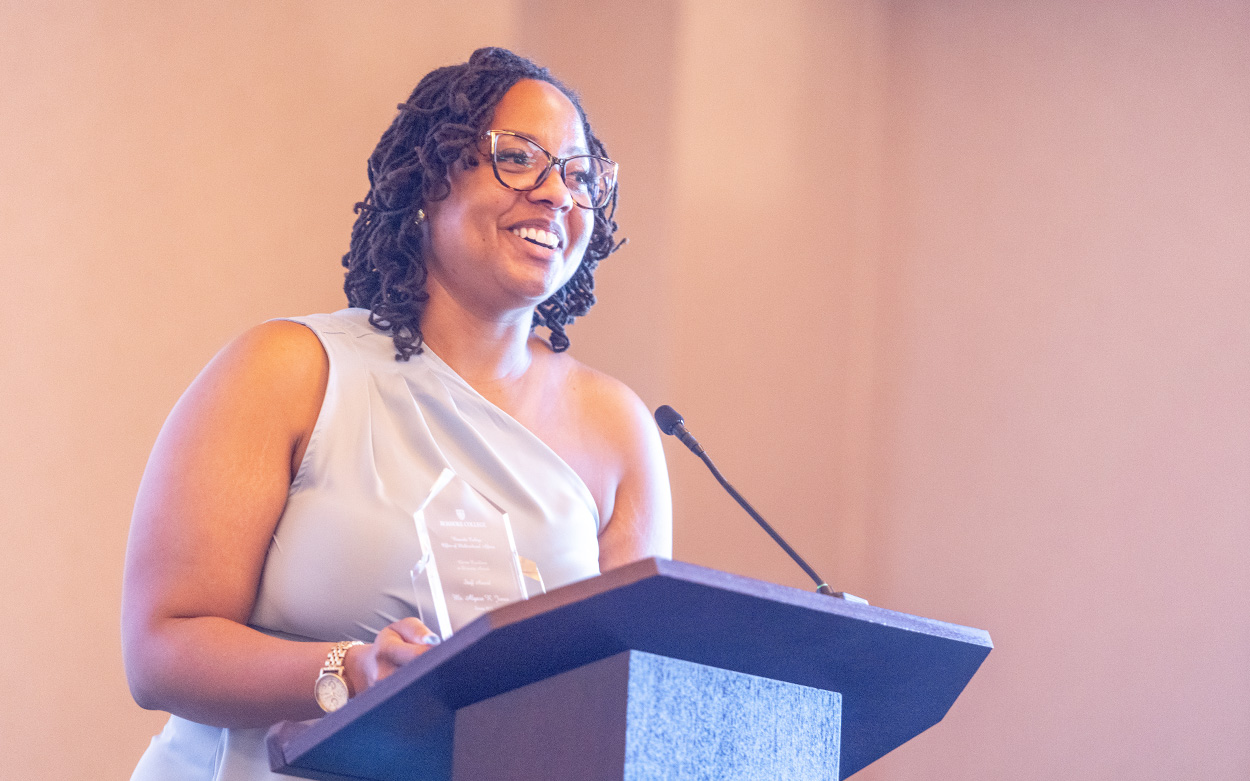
(273, 533)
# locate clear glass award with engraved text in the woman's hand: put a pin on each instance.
(469, 563)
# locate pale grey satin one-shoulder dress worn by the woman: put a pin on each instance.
(342, 555)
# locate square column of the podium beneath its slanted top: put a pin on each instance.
(638, 715)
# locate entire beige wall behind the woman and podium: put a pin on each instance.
(956, 293)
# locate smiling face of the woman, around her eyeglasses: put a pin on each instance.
(484, 251)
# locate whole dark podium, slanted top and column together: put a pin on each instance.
(657, 670)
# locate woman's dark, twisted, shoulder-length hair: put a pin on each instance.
(438, 128)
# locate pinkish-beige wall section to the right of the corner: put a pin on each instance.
(1066, 381)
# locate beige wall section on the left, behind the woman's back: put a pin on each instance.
(171, 173)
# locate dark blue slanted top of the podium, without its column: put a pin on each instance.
(897, 675)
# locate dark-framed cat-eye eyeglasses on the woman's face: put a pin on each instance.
(523, 166)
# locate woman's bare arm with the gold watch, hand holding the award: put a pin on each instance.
(208, 505)
